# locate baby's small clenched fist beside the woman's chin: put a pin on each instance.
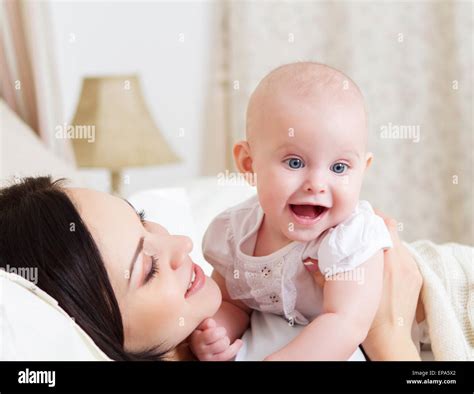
(211, 343)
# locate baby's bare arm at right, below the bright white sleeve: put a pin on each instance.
(348, 310)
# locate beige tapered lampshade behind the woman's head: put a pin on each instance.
(125, 134)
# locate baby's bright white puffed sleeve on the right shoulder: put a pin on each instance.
(354, 241)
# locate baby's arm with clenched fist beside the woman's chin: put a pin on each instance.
(216, 339)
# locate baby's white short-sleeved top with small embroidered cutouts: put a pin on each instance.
(279, 283)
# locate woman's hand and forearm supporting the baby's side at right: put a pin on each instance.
(389, 337)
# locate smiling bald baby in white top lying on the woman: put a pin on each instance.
(306, 153)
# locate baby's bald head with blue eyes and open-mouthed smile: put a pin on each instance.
(306, 141)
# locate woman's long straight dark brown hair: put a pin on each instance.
(40, 228)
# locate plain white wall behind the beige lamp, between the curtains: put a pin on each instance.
(97, 38)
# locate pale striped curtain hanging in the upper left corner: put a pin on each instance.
(28, 81)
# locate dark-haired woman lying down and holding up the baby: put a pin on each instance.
(129, 283)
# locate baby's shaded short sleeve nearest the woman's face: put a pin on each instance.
(217, 244)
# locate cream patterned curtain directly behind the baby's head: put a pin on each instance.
(413, 62)
